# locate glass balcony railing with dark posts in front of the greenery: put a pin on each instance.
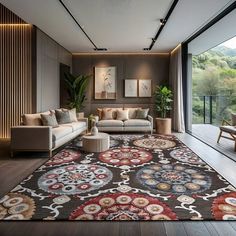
(212, 109)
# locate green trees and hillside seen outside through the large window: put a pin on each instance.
(214, 74)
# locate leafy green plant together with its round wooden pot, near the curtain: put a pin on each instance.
(163, 100)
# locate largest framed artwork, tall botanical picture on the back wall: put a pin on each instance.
(105, 82)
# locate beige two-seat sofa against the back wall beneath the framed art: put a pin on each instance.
(131, 124)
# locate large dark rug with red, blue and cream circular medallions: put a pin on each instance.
(141, 177)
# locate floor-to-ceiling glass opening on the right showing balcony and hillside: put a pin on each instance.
(212, 82)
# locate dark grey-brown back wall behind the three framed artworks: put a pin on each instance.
(155, 67)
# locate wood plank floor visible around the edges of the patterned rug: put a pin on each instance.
(13, 170)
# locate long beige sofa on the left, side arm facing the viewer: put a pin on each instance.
(33, 136)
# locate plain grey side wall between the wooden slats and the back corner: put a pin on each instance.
(49, 56)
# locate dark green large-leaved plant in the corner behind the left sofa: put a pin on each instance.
(76, 87)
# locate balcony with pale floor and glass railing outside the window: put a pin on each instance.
(208, 113)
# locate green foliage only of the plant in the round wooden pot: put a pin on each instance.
(163, 100)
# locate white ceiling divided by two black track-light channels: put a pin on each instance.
(119, 25)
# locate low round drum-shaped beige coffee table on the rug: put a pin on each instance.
(96, 143)
